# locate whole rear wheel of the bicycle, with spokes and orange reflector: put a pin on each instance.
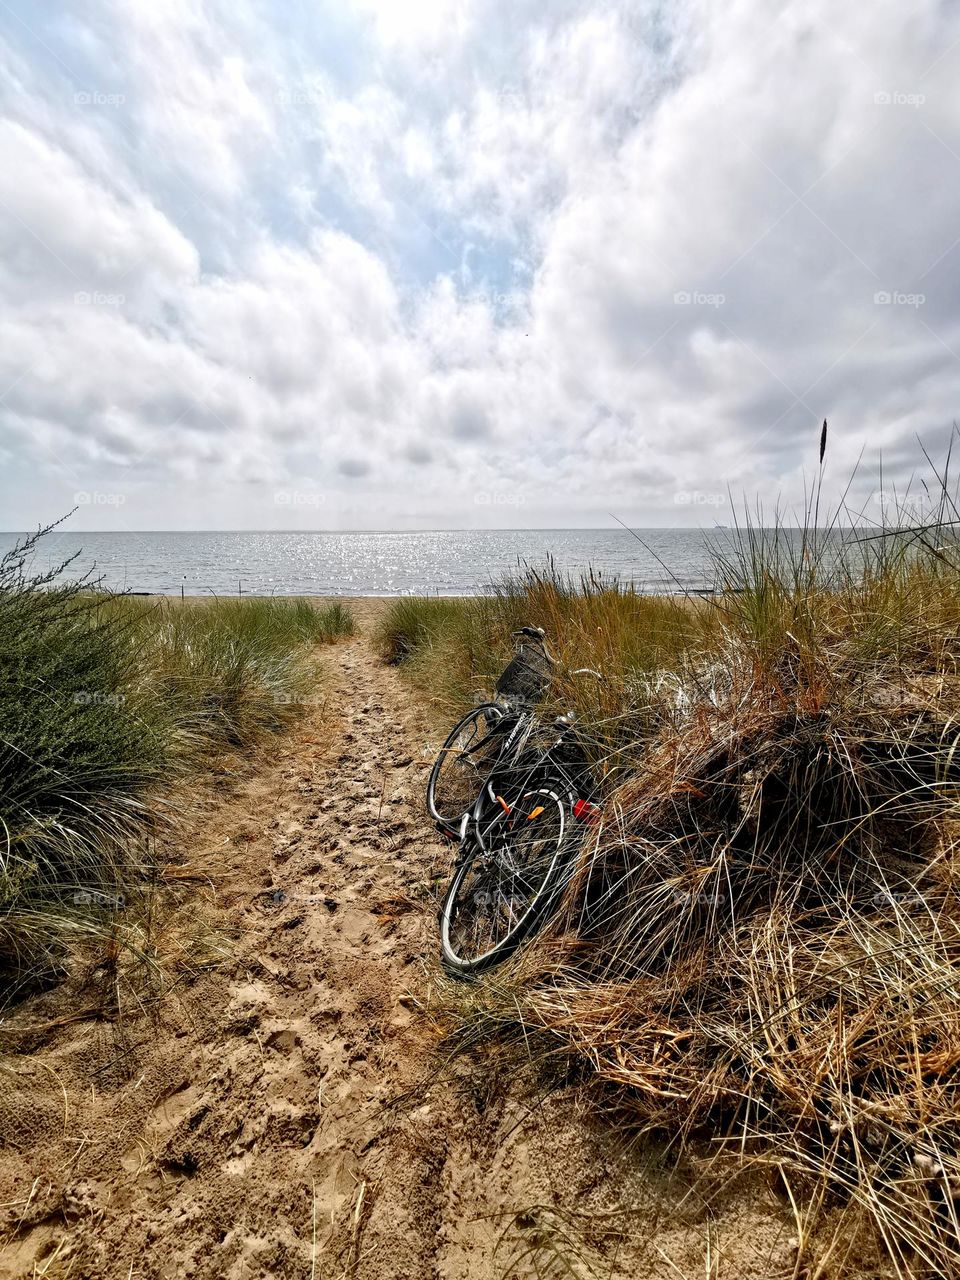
(500, 894)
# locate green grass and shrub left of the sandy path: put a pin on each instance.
(106, 703)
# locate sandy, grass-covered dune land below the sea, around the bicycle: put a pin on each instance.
(231, 1043)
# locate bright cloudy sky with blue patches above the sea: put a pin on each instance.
(419, 264)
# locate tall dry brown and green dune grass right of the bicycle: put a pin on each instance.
(762, 941)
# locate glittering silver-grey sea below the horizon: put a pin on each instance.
(445, 563)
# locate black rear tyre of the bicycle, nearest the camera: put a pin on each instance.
(551, 881)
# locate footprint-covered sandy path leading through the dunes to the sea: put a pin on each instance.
(276, 1117)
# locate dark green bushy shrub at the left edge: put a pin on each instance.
(80, 749)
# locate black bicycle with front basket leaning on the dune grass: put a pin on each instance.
(510, 788)
